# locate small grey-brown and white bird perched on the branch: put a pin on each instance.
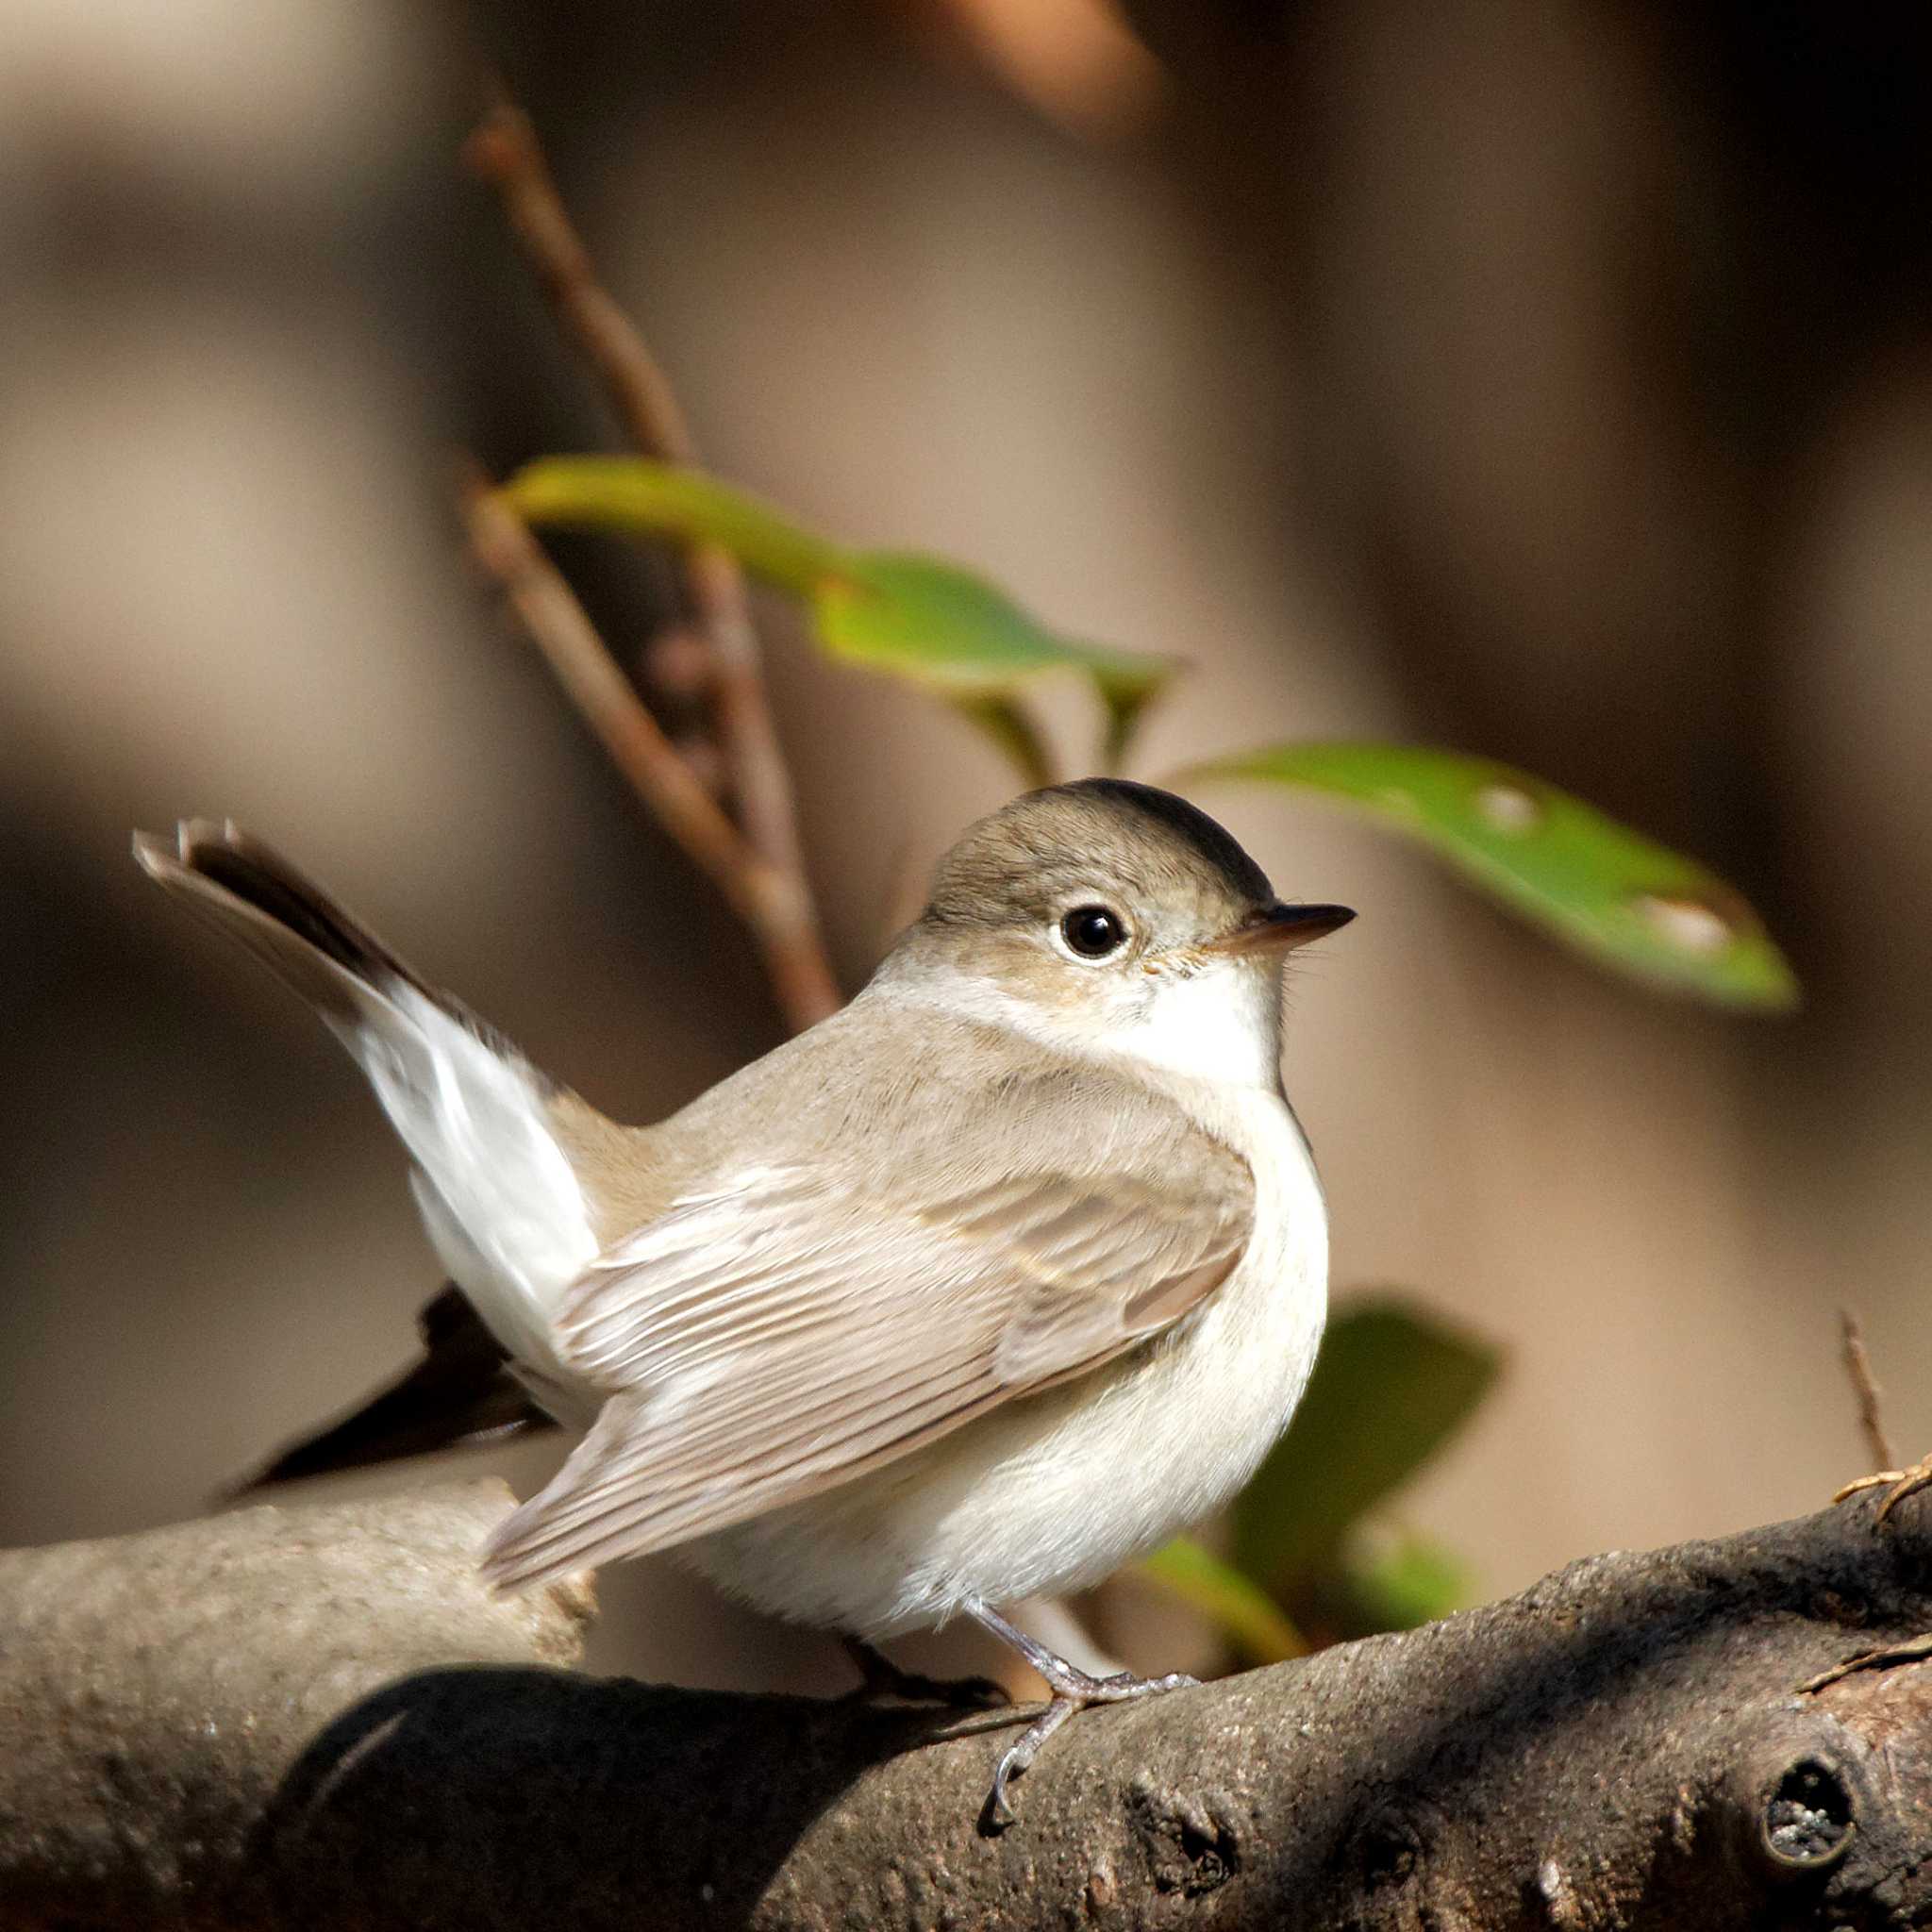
(980, 1288)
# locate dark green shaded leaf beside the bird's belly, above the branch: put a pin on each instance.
(1390, 1388)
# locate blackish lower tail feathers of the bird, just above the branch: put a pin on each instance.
(463, 1392)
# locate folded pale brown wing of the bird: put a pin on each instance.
(776, 1334)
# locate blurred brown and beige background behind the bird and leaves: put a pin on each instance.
(1541, 378)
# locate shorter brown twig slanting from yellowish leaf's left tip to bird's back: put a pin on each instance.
(764, 895)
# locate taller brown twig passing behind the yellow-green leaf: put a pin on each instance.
(505, 154)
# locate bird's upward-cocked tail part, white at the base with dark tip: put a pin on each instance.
(496, 1187)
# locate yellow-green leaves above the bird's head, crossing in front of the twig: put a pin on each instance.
(909, 617)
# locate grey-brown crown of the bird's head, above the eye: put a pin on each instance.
(1071, 839)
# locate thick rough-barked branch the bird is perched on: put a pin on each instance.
(316, 1717)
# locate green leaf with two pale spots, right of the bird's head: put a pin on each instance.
(1564, 865)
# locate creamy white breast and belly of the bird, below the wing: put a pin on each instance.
(1058, 1491)
